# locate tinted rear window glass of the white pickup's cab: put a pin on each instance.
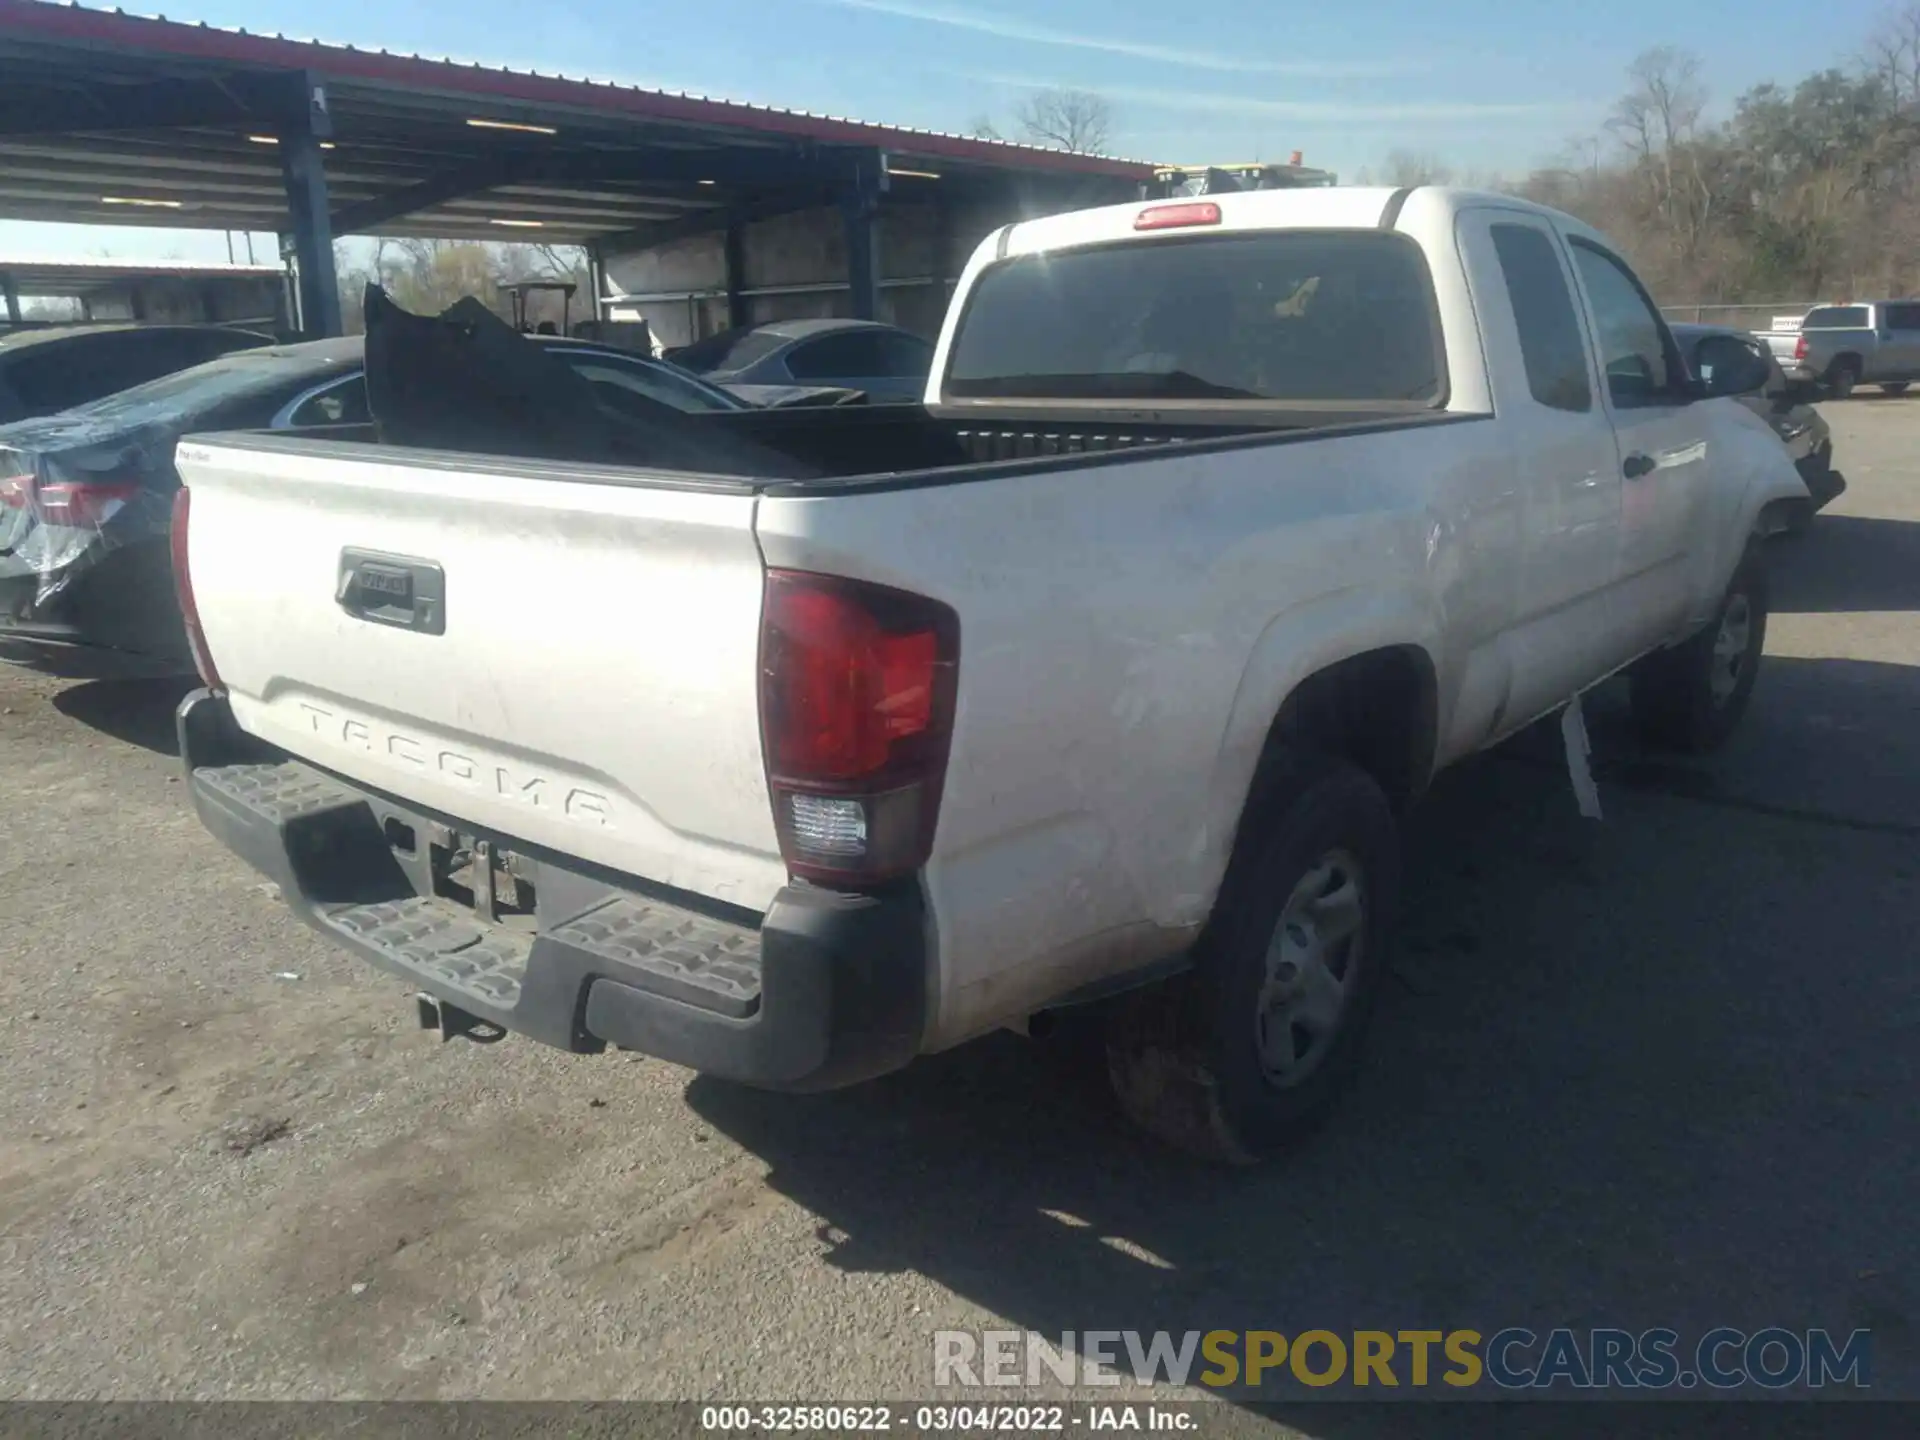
(1295, 316)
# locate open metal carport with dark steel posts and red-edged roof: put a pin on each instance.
(112, 118)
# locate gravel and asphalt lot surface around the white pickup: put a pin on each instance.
(1664, 1070)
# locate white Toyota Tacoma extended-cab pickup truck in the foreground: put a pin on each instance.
(1101, 679)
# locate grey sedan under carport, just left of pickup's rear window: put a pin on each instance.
(878, 360)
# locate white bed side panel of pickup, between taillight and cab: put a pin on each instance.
(1128, 635)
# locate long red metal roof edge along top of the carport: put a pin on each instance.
(143, 36)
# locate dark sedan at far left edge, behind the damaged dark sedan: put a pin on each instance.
(66, 366)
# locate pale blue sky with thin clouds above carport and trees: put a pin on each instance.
(1485, 85)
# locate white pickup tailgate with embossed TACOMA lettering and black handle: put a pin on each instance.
(585, 679)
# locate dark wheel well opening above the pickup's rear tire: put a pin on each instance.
(1378, 711)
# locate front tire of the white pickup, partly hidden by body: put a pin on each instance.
(1691, 698)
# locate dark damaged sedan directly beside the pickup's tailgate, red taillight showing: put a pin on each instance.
(85, 496)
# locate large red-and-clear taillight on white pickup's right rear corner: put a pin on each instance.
(857, 702)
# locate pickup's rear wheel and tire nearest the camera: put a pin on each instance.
(1255, 1045)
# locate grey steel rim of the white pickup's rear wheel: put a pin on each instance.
(1310, 971)
